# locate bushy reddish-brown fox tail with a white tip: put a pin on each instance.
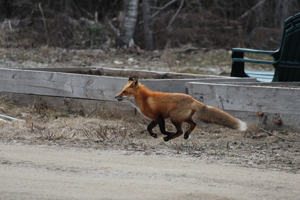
(215, 115)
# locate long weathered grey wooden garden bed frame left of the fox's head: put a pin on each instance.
(79, 89)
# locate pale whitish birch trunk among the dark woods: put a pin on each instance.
(128, 22)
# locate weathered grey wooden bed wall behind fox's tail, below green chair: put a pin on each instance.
(268, 105)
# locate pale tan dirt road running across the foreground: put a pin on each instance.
(53, 172)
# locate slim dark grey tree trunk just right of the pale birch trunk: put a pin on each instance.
(147, 26)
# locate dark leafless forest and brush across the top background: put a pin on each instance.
(149, 24)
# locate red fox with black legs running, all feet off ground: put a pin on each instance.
(179, 107)
